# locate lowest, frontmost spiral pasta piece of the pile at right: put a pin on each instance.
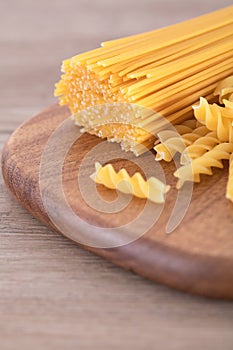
(203, 164)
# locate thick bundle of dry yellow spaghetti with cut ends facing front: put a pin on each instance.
(164, 71)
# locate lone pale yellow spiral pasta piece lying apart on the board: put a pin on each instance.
(152, 189)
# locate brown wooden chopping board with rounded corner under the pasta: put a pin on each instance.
(196, 257)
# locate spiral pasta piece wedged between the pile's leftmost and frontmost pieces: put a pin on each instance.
(199, 147)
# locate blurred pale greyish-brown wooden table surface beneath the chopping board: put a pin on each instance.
(53, 294)
